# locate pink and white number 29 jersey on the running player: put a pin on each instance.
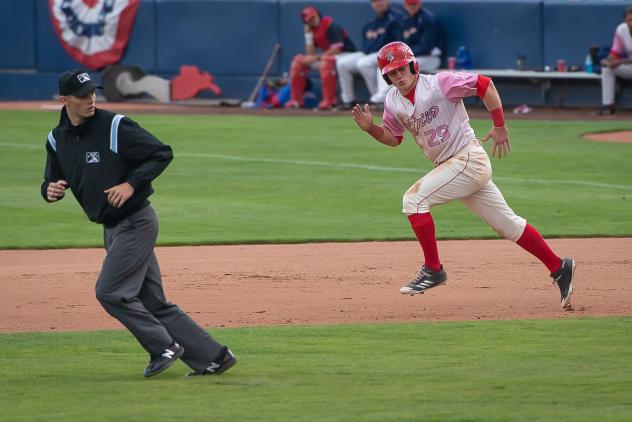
(438, 120)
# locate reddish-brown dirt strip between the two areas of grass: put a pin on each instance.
(326, 283)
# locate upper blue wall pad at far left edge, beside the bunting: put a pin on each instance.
(17, 34)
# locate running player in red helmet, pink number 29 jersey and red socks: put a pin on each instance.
(431, 108)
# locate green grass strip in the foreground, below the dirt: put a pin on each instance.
(569, 369)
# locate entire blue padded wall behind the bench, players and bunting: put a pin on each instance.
(233, 39)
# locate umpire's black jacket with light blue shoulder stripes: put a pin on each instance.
(104, 151)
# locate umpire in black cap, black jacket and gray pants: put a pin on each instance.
(109, 161)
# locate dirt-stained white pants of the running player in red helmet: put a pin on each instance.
(467, 177)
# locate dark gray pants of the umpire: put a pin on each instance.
(130, 289)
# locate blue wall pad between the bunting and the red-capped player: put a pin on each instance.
(222, 37)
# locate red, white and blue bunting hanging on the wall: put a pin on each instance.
(93, 32)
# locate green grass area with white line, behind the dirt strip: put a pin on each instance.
(244, 179)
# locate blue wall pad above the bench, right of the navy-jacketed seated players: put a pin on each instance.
(494, 32)
